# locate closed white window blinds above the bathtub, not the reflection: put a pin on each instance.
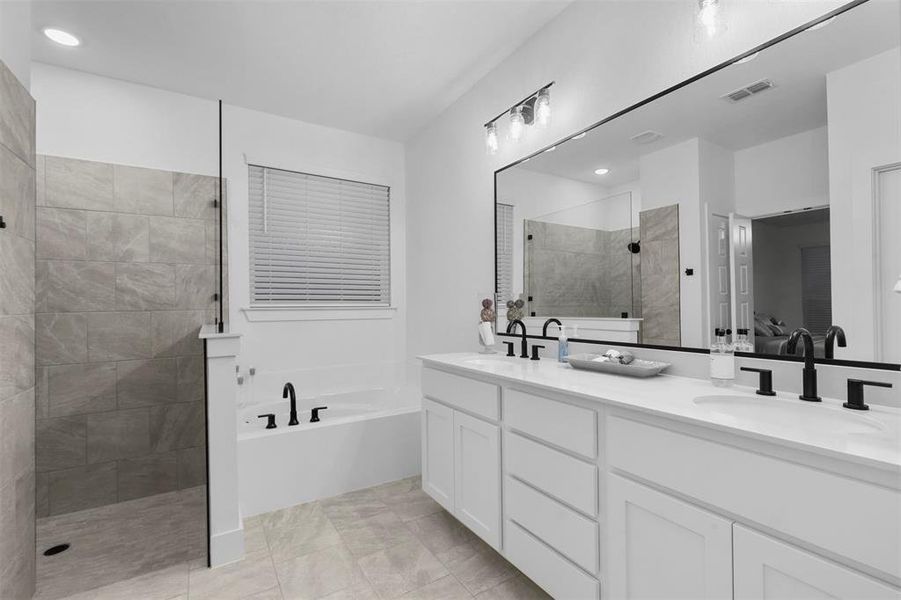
(318, 240)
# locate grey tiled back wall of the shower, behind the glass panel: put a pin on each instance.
(125, 277)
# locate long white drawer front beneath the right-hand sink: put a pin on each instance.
(852, 518)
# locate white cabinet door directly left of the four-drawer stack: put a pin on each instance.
(477, 470)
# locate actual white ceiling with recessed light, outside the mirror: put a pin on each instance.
(382, 68)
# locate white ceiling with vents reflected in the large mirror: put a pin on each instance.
(798, 66)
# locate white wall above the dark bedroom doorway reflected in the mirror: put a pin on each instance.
(790, 173)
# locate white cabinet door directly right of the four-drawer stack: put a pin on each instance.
(662, 547)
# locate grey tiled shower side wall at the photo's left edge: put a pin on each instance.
(17, 189)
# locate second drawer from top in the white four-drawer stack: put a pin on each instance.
(569, 479)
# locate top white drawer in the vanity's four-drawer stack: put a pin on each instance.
(564, 425)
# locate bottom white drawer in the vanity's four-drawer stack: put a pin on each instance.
(545, 567)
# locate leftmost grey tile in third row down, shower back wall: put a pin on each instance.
(73, 286)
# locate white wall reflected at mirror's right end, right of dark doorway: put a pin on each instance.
(864, 107)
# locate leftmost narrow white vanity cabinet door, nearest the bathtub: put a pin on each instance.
(438, 453)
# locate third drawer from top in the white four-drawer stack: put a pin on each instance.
(568, 532)
